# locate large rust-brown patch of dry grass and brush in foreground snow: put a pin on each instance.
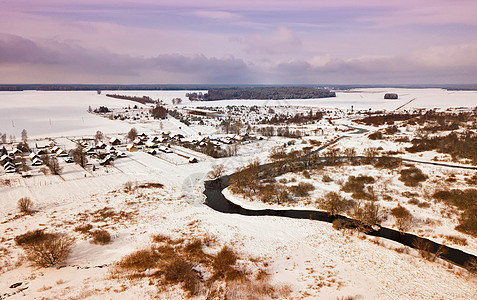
(184, 263)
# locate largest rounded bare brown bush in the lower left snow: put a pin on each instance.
(49, 250)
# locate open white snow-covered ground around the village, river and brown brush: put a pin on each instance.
(313, 259)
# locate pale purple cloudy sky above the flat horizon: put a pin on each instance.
(238, 42)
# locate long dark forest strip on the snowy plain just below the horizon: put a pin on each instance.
(262, 93)
